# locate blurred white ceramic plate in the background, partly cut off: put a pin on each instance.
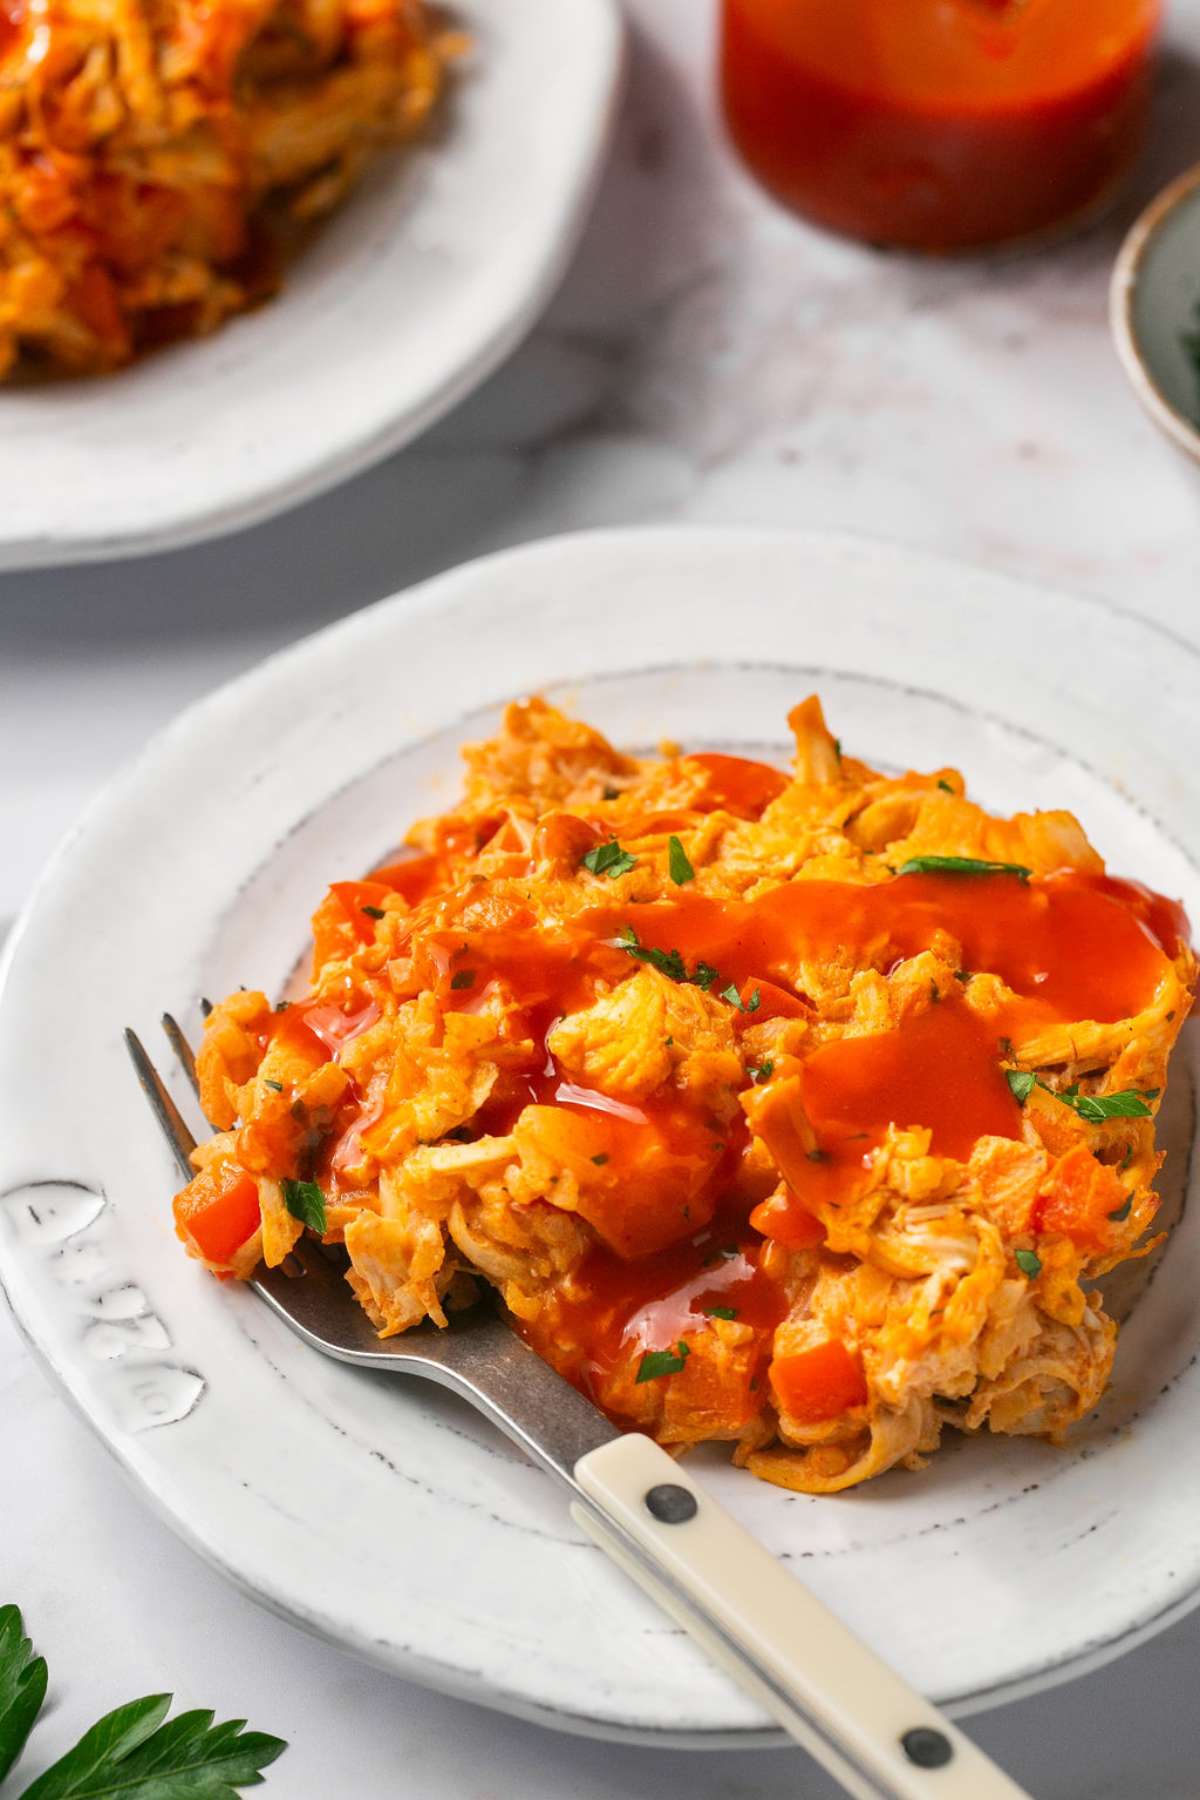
(407, 300)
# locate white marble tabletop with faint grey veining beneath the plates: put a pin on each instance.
(708, 361)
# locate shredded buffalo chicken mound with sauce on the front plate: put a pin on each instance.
(791, 1111)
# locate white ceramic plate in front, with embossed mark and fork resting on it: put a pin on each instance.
(382, 1515)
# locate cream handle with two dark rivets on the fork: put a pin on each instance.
(846, 1707)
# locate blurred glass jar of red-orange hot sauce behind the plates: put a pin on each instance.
(938, 125)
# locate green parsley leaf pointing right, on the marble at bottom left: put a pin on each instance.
(134, 1754)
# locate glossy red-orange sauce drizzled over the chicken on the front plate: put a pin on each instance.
(661, 1182)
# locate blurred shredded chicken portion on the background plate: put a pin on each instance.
(159, 157)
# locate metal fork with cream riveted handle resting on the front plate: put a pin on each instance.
(875, 1734)
